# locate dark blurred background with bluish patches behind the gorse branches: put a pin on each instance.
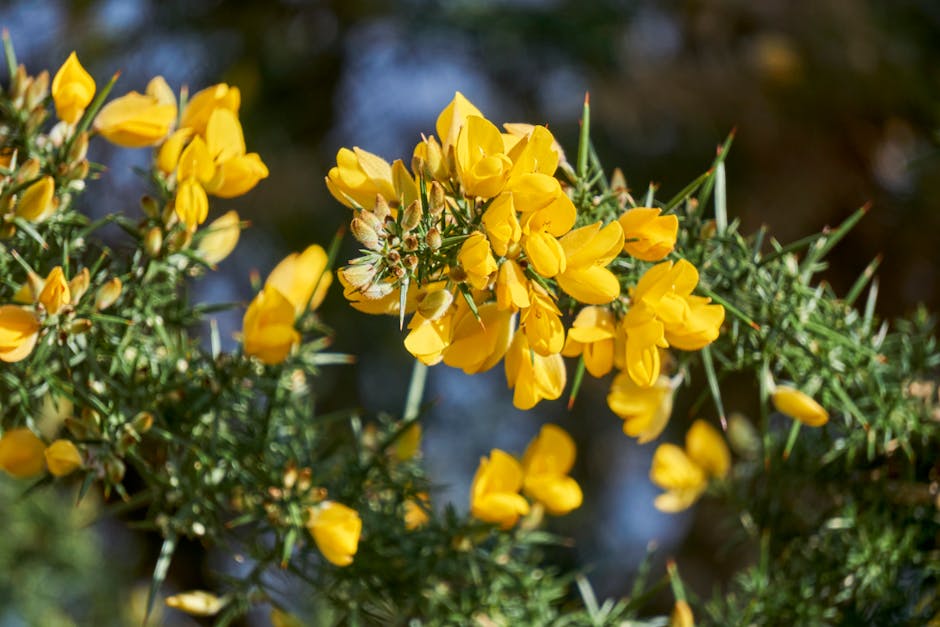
(835, 104)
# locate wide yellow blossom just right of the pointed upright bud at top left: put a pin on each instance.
(135, 120)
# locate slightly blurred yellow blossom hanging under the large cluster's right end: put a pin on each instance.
(645, 410)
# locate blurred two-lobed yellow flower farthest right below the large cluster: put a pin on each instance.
(684, 473)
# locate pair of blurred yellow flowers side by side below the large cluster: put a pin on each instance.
(543, 476)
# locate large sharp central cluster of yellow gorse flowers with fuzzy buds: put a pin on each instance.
(485, 246)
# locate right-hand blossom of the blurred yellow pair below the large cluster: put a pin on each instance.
(547, 461)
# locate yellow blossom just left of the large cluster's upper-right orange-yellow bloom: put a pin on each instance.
(587, 251)
